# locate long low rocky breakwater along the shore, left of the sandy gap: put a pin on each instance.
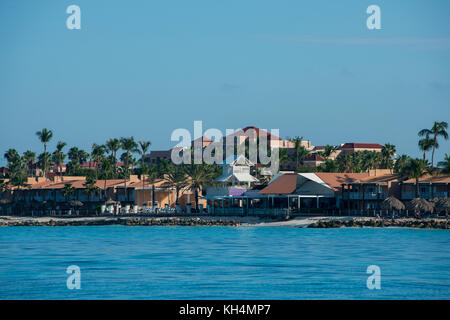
(163, 221)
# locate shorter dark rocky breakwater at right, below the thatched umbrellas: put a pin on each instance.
(380, 223)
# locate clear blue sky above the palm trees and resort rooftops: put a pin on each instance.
(145, 68)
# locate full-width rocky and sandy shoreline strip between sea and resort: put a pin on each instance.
(234, 221)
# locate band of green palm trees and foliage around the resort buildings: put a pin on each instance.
(103, 163)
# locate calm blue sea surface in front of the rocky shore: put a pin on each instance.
(119, 262)
